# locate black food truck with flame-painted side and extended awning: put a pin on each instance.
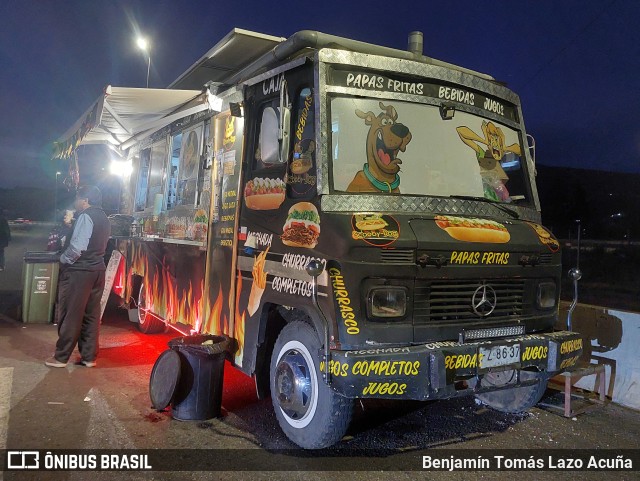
(361, 221)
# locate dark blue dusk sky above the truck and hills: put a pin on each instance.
(575, 64)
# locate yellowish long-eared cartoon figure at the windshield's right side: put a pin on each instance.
(493, 140)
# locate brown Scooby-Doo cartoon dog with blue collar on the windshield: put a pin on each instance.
(385, 138)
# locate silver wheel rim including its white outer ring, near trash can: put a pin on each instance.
(296, 384)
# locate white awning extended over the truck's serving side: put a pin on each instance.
(121, 115)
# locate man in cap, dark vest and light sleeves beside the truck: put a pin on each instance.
(81, 281)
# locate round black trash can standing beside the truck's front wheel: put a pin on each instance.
(198, 394)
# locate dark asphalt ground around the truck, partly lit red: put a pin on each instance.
(108, 407)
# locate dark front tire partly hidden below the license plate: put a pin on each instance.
(517, 399)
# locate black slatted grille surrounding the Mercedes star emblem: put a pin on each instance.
(450, 301)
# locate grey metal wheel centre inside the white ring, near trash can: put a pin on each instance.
(293, 385)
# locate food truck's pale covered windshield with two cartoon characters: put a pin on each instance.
(395, 147)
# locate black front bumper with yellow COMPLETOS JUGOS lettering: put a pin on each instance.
(437, 370)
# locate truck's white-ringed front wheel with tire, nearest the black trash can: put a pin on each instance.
(310, 413)
